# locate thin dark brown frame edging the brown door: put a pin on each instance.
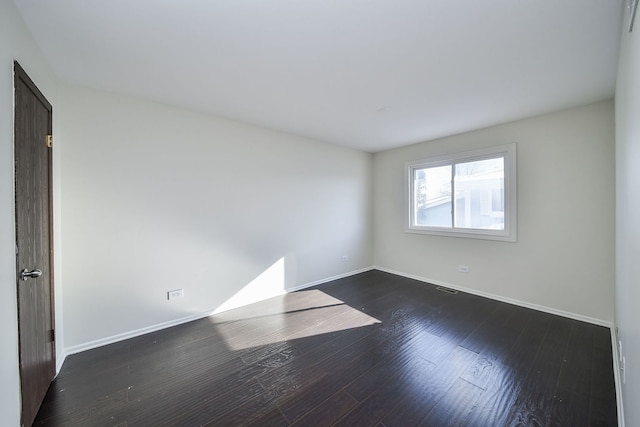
(21, 75)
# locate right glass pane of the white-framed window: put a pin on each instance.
(479, 200)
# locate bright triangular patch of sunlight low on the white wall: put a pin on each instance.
(268, 284)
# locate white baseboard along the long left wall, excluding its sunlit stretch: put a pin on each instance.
(153, 328)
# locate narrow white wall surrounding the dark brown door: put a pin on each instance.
(16, 43)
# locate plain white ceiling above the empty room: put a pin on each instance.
(370, 74)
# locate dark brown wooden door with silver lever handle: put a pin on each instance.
(34, 275)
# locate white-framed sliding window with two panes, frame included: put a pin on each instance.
(470, 194)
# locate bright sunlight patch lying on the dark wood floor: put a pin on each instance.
(288, 317)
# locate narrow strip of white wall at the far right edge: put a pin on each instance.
(628, 216)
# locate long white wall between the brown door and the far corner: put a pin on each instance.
(157, 198)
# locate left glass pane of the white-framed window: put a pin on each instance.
(432, 197)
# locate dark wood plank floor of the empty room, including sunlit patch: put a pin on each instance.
(373, 350)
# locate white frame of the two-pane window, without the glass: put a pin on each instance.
(509, 234)
